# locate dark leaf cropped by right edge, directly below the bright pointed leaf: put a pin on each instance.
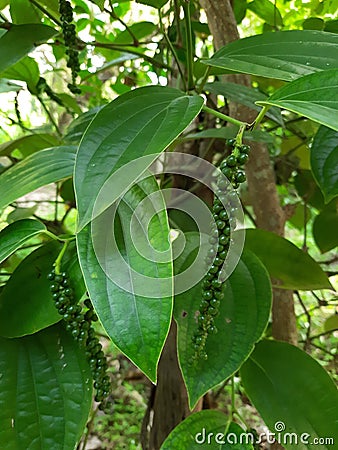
(324, 161)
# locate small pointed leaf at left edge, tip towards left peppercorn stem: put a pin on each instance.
(15, 235)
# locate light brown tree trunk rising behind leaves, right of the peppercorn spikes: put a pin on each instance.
(261, 178)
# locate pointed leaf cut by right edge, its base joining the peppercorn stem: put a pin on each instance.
(314, 96)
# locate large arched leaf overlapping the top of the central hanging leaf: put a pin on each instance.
(144, 121)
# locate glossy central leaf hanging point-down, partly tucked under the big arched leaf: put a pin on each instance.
(137, 324)
